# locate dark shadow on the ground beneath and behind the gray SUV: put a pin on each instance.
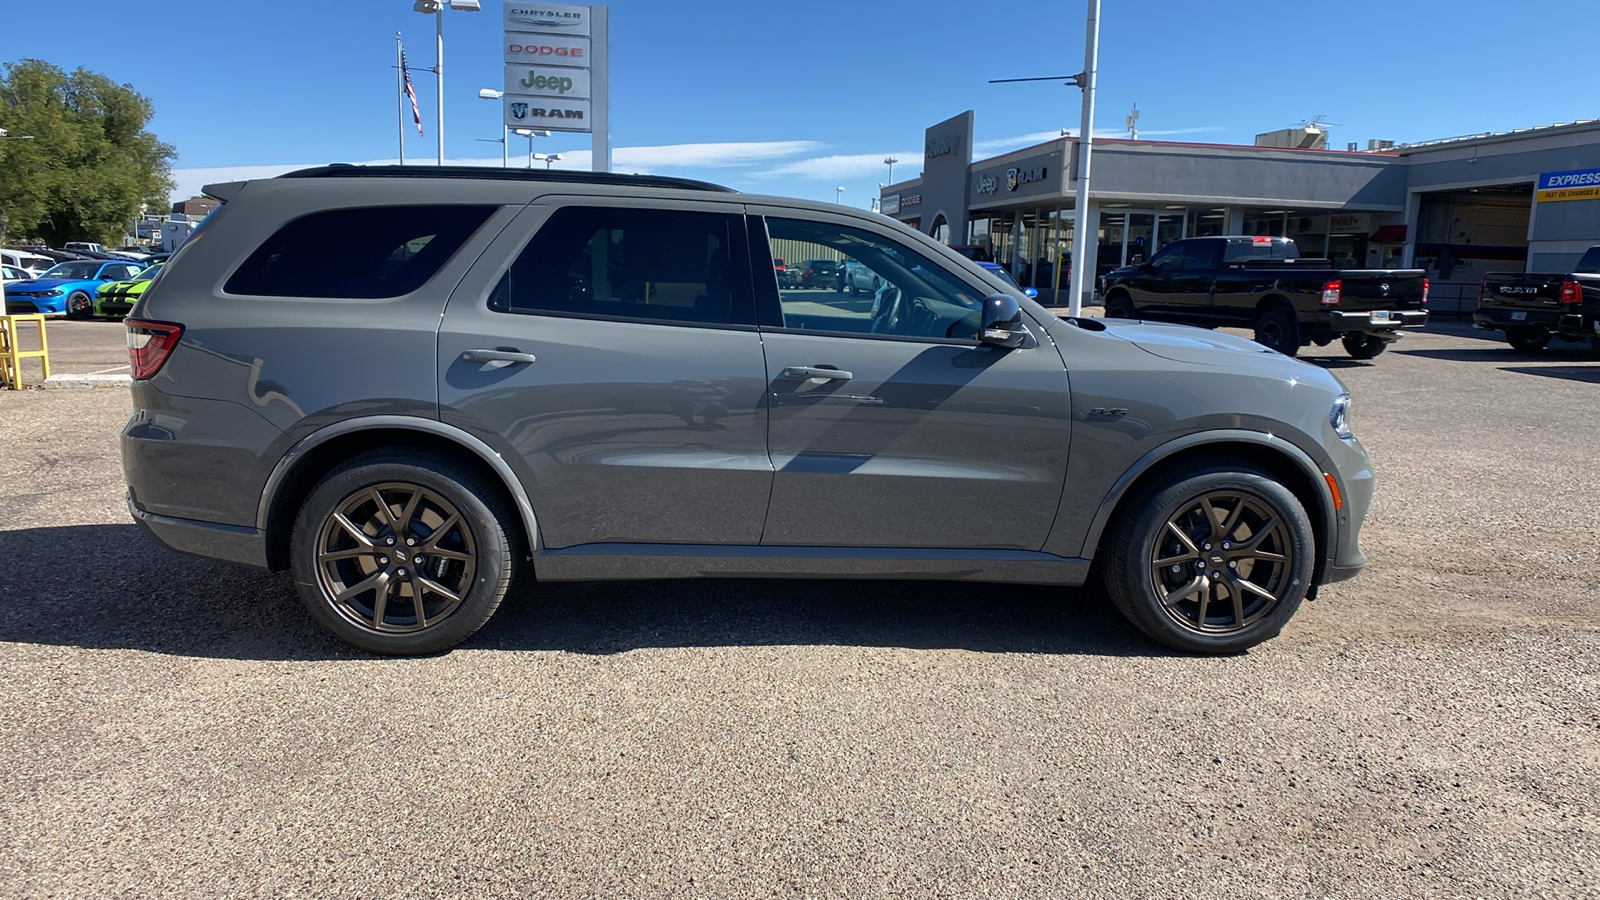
(106, 587)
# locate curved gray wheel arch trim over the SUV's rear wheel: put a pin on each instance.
(318, 454)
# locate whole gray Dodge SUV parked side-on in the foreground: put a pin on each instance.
(409, 385)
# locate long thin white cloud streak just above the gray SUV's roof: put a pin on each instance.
(190, 182)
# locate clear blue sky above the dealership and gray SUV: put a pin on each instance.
(799, 100)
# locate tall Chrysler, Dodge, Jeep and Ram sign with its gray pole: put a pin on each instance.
(558, 66)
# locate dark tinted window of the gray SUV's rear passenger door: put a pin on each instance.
(625, 263)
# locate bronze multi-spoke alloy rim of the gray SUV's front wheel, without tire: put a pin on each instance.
(1222, 563)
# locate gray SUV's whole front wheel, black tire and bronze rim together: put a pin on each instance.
(1142, 553)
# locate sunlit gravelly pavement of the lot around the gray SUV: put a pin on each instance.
(174, 728)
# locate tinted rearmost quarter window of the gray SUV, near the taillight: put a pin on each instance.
(364, 254)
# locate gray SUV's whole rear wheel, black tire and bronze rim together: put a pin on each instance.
(463, 589)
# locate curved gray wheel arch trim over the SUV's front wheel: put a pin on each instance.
(1274, 456)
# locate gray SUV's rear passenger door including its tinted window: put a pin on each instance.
(609, 348)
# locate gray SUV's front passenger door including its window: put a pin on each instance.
(892, 427)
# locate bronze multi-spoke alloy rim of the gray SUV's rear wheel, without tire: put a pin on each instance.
(396, 558)
